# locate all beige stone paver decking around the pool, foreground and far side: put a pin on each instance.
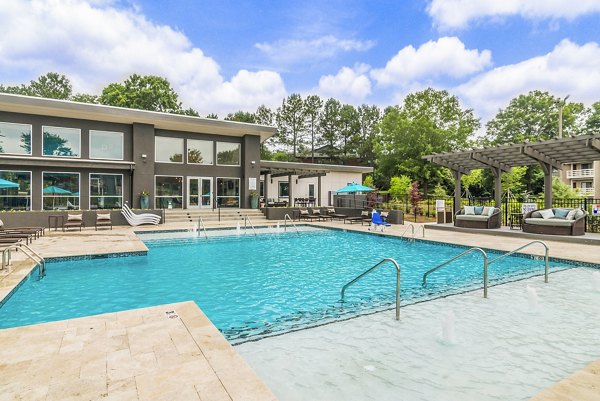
(140, 354)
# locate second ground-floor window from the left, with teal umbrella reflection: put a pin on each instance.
(60, 191)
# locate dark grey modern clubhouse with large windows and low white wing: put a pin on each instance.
(69, 155)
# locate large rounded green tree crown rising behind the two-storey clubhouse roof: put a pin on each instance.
(146, 92)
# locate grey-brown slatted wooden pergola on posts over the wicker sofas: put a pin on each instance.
(550, 154)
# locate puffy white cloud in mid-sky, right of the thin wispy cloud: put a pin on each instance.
(445, 57)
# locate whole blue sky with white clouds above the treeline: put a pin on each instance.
(222, 56)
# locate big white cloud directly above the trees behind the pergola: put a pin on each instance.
(567, 69)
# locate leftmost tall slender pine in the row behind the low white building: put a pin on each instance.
(291, 123)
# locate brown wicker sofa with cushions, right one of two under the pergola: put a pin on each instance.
(534, 222)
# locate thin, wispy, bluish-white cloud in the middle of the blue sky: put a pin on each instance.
(292, 51)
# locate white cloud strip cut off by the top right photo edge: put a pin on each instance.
(458, 13)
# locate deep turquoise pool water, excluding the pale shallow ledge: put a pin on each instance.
(255, 286)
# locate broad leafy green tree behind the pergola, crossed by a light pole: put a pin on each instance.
(534, 117)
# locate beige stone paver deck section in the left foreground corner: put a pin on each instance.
(132, 355)
